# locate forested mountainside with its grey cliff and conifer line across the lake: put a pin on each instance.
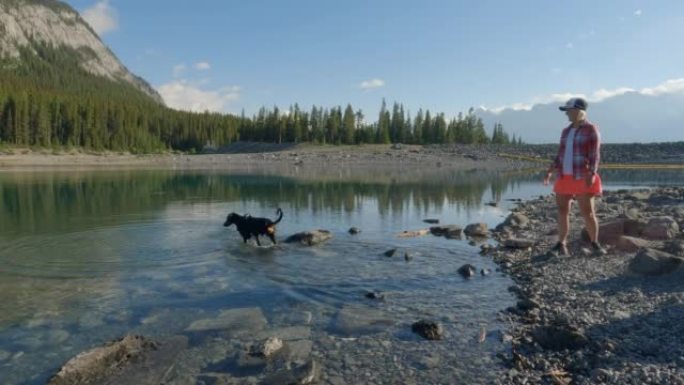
(60, 86)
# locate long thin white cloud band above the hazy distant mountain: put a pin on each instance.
(671, 86)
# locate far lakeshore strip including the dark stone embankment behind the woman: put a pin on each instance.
(249, 154)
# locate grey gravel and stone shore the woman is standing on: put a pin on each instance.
(580, 319)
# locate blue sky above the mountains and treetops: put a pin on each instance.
(445, 56)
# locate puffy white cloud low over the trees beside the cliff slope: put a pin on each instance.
(182, 95)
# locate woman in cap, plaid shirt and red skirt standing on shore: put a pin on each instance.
(576, 166)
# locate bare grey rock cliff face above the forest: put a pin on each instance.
(26, 23)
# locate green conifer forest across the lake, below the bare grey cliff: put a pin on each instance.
(46, 100)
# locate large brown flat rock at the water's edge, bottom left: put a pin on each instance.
(129, 360)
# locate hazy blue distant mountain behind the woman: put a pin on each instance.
(632, 117)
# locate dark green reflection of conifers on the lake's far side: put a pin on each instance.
(59, 202)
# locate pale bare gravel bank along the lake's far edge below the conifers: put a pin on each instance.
(462, 157)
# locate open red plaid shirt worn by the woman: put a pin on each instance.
(586, 150)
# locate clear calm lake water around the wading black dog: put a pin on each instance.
(86, 257)
